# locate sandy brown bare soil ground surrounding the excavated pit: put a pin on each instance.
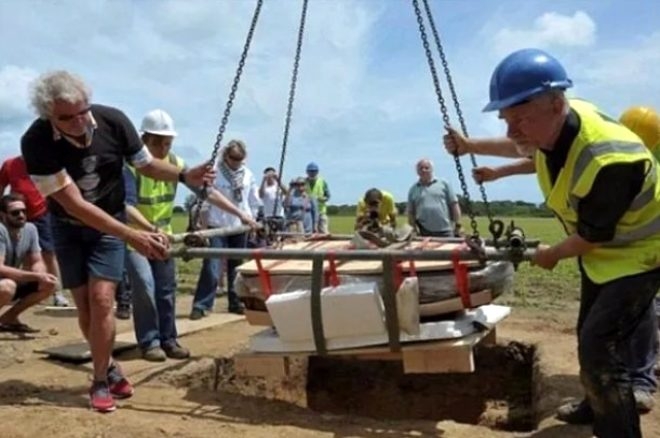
(43, 398)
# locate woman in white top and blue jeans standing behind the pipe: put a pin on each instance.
(237, 183)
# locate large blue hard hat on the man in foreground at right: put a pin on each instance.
(522, 75)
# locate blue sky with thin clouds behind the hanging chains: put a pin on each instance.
(365, 108)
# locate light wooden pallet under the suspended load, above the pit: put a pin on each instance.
(447, 356)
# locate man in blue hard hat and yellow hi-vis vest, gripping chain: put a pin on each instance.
(602, 184)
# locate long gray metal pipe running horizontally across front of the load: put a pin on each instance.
(488, 253)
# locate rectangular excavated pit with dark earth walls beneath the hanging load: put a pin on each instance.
(502, 393)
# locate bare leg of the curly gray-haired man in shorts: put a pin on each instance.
(101, 325)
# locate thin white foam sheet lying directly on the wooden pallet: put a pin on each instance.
(268, 341)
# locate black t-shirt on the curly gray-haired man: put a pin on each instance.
(97, 169)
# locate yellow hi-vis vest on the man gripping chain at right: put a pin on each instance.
(602, 141)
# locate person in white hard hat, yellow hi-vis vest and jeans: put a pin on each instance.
(150, 205)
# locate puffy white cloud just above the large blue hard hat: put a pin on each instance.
(548, 30)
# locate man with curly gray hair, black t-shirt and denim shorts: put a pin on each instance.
(75, 153)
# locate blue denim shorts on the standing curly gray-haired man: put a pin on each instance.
(84, 252)
